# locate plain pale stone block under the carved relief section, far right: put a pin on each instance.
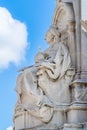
(77, 113)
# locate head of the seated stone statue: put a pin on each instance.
(52, 35)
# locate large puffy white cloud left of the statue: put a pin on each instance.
(13, 39)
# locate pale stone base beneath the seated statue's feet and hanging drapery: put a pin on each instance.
(25, 121)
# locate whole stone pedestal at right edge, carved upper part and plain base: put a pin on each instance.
(77, 112)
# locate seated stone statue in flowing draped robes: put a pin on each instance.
(40, 87)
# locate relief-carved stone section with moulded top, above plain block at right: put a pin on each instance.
(79, 91)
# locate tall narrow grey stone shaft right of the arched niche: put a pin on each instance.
(77, 9)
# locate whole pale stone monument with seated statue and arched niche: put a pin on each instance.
(52, 94)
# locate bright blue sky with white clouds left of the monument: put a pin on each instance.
(20, 37)
